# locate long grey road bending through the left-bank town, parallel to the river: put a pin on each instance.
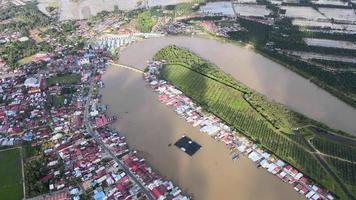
(97, 138)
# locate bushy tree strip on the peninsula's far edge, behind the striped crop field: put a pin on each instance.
(276, 114)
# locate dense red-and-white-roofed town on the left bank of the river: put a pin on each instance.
(47, 109)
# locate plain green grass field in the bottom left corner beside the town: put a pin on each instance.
(10, 175)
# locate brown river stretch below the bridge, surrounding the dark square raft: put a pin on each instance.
(151, 126)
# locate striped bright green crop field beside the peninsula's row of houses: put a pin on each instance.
(227, 104)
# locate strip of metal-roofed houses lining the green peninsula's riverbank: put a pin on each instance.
(212, 126)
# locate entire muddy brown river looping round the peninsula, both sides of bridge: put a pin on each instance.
(211, 174)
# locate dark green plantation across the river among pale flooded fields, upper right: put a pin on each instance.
(283, 35)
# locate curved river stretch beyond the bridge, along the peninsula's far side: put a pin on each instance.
(257, 72)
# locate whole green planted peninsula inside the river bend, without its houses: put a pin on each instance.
(289, 135)
